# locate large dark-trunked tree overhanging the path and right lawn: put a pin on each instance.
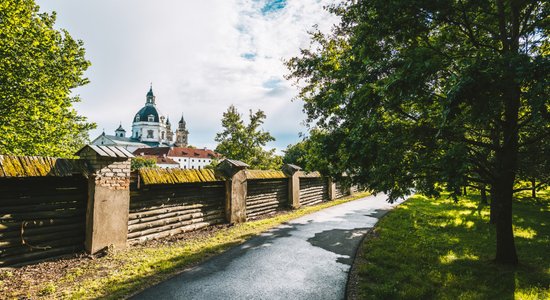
(419, 95)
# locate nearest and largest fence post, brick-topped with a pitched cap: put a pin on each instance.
(108, 197)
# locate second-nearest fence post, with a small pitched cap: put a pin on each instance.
(235, 189)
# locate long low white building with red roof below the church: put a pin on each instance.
(187, 158)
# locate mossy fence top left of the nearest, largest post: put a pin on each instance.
(36, 166)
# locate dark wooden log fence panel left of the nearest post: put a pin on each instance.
(41, 217)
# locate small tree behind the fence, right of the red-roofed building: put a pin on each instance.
(245, 142)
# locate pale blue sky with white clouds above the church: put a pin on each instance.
(200, 56)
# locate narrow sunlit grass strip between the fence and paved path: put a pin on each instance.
(124, 272)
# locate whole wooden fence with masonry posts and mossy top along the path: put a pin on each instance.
(51, 207)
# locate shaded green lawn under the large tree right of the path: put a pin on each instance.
(436, 249)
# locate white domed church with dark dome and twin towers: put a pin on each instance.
(150, 128)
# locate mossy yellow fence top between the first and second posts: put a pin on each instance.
(172, 176)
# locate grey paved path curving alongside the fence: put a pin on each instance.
(307, 258)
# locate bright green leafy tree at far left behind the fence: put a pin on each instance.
(39, 66)
